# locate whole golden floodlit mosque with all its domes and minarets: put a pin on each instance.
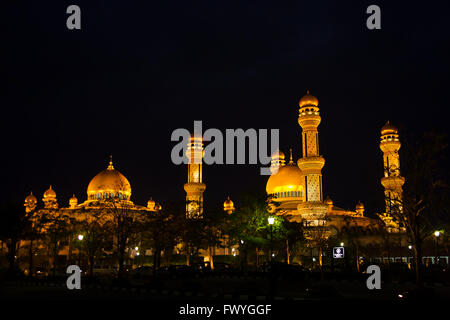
(294, 190)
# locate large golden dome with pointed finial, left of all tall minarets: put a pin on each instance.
(109, 183)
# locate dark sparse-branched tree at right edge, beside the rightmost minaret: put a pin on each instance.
(425, 192)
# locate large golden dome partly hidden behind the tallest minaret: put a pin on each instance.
(288, 178)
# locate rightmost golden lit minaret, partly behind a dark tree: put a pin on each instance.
(392, 181)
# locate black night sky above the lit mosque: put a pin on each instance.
(138, 70)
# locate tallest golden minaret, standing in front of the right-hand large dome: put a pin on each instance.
(311, 163)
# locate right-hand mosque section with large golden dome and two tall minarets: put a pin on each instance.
(295, 189)
